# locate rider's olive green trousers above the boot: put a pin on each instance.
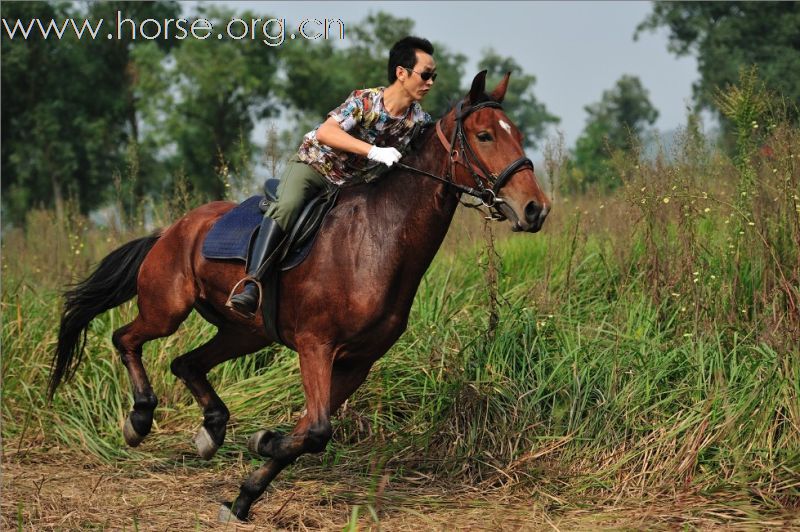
(298, 184)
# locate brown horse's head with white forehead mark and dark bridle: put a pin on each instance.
(486, 150)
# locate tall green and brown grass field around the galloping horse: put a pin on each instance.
(646, 343)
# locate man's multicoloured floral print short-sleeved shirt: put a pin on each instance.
(363, 116)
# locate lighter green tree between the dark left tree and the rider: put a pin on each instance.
(204, 98)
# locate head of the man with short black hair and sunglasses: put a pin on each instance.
(410, 61)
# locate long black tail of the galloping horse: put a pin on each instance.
(112, 283)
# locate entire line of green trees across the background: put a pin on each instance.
(88, 119)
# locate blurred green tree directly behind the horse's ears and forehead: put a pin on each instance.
(520, 103)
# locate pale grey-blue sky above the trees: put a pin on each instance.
(576, 50)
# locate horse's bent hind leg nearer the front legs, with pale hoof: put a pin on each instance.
(193, 367)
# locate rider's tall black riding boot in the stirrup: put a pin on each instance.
(263, 253)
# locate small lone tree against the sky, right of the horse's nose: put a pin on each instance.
(614, 123)
